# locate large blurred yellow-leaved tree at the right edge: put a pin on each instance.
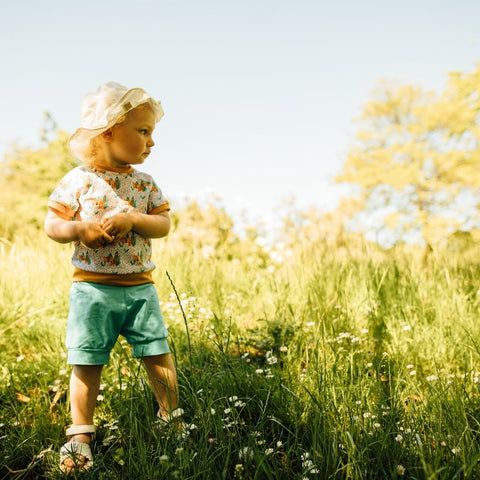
(416, 157)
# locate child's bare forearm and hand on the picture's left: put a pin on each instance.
(92, 235)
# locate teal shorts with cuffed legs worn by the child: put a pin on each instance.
(100, 313)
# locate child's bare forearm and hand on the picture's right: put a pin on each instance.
(148, 226)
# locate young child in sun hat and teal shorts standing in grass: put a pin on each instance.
(110, 211)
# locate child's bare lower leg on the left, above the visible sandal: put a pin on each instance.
(84, 388)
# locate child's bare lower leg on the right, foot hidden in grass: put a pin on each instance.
(163, 378)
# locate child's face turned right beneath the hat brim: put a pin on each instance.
(130, 141)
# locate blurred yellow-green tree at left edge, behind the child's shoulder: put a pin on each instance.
(27, 177)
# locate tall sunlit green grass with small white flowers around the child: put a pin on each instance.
(314, 361)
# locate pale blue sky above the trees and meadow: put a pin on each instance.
(259, 95)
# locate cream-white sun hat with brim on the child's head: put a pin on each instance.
(102, 109)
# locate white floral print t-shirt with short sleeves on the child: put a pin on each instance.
(90, 193)
